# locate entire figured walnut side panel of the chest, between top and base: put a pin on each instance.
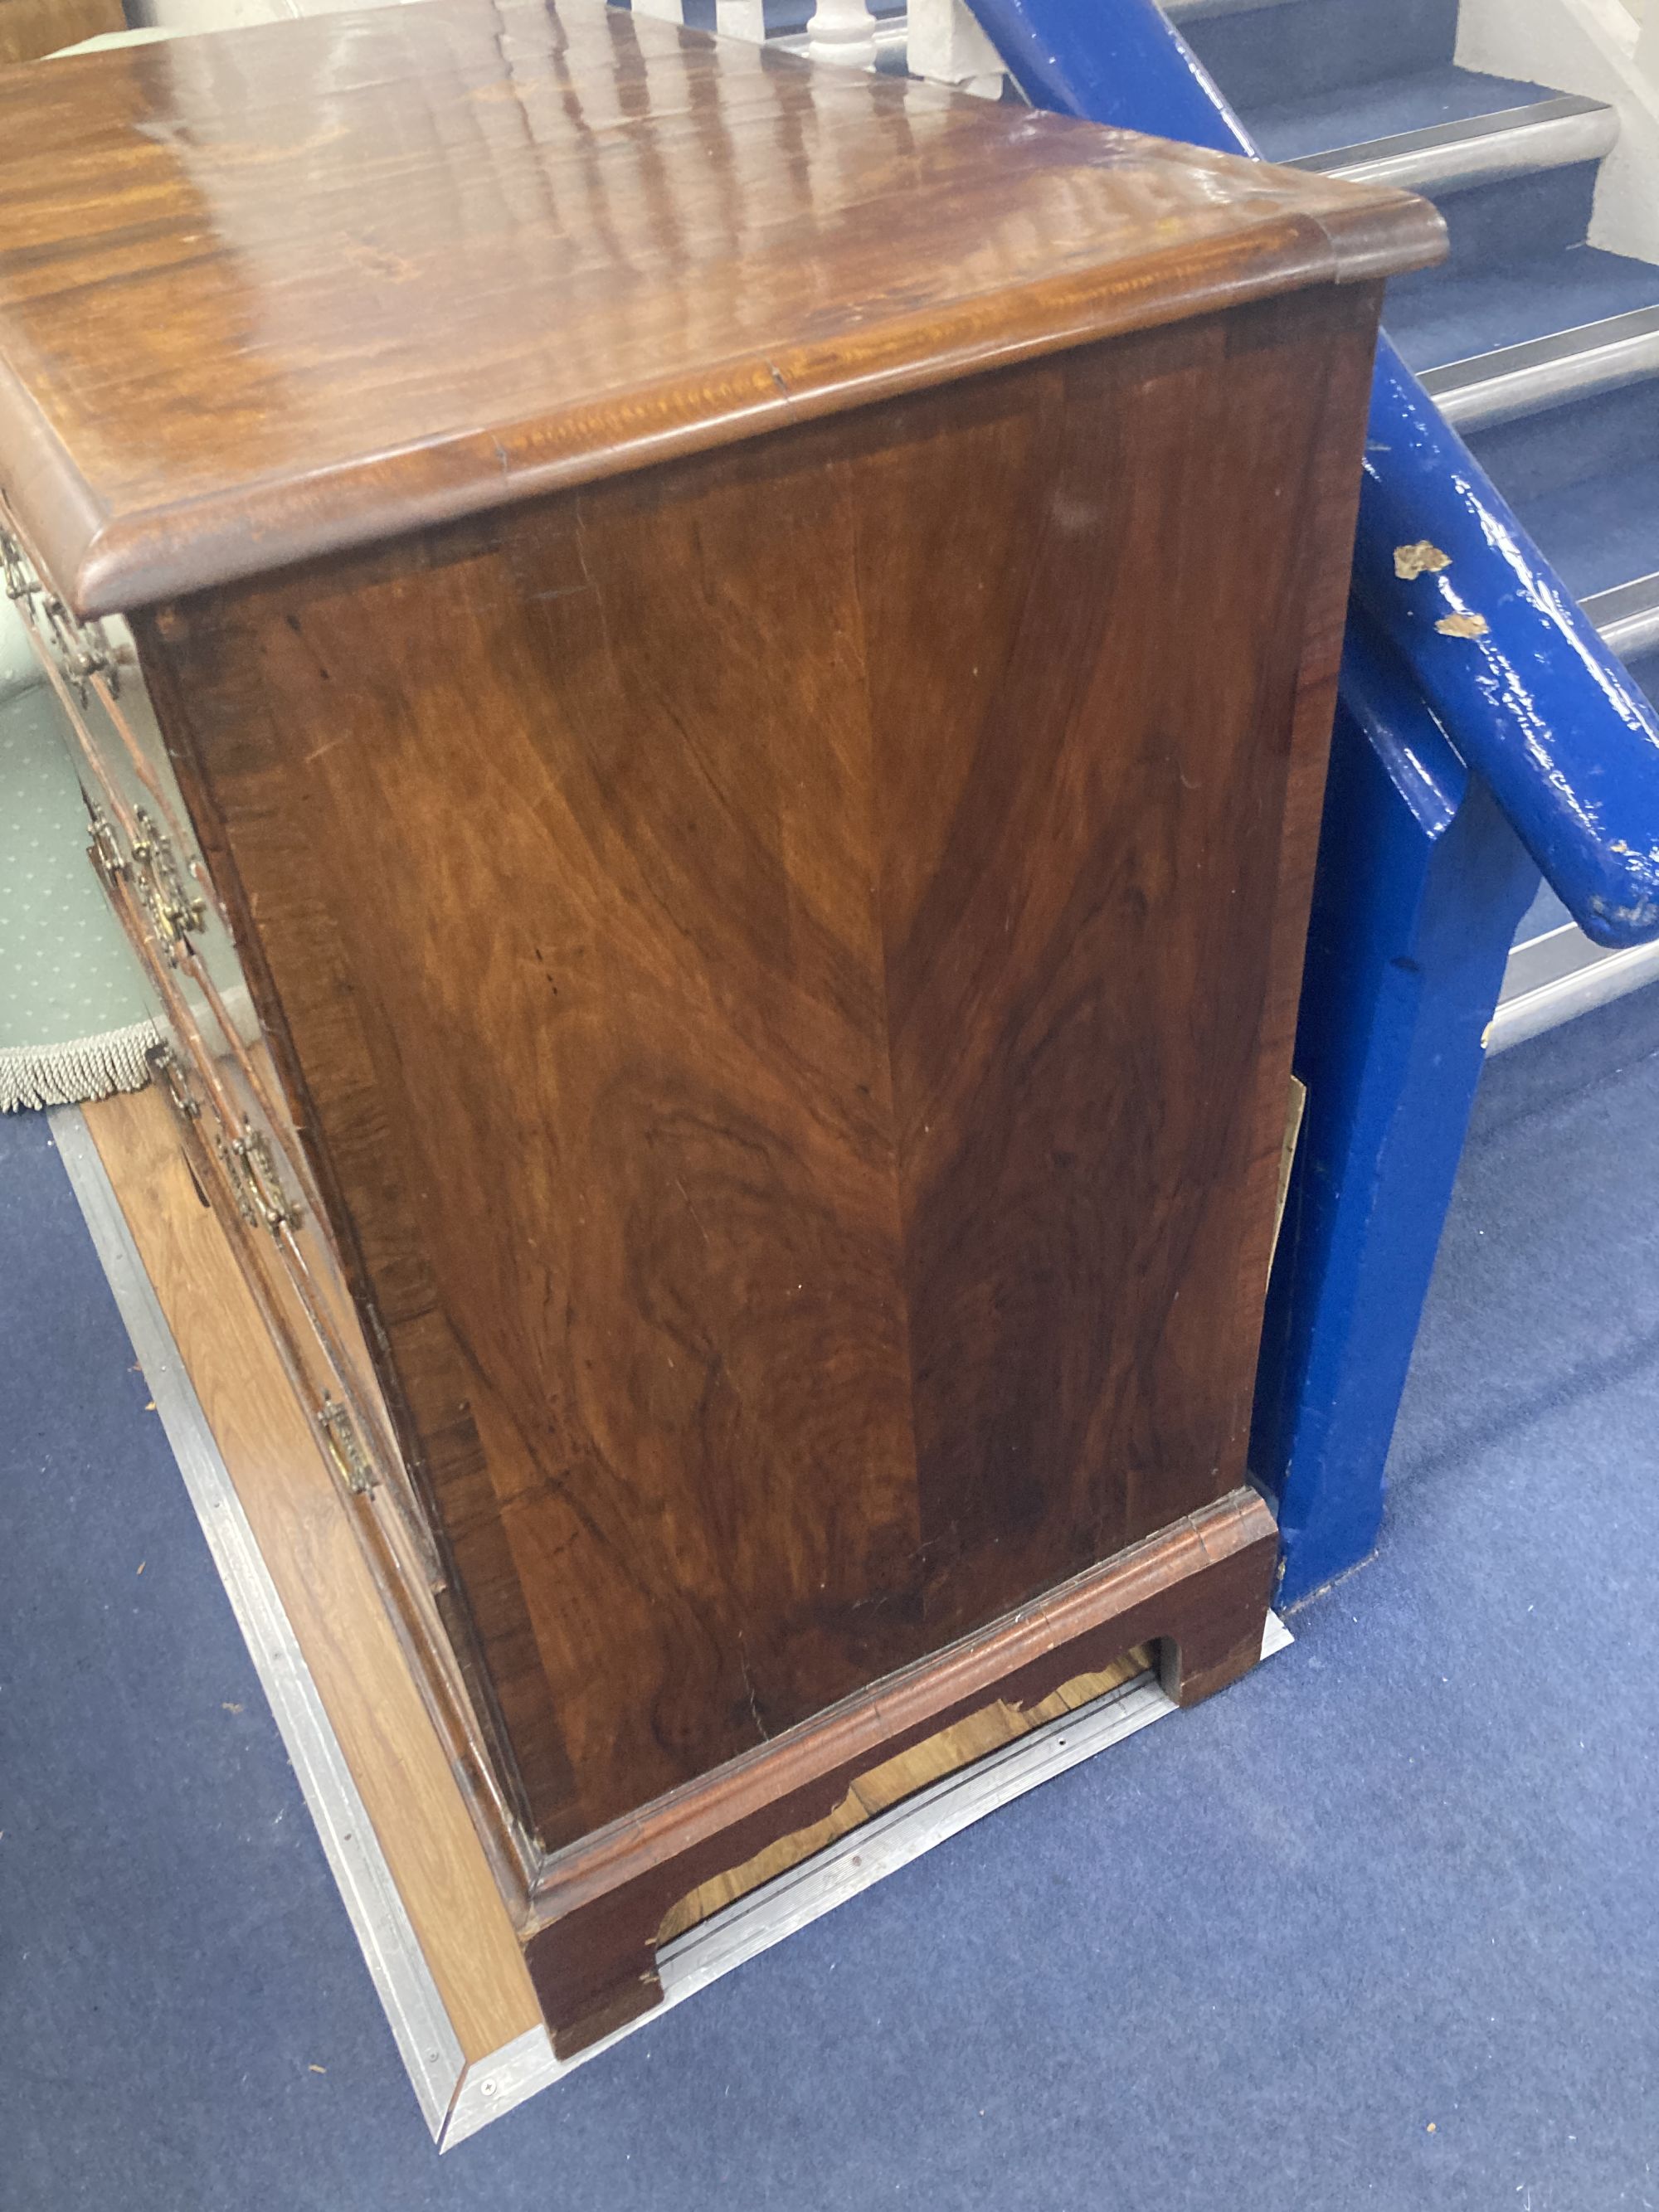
(784, 968)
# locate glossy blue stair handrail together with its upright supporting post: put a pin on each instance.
(1463, 764)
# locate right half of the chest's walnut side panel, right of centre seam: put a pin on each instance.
(1103, 727)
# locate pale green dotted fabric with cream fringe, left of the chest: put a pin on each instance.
(74, 1019)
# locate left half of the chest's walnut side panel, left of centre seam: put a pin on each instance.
(561, 855)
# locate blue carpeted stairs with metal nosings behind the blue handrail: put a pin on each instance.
(1541, 348)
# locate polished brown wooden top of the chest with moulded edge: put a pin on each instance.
(293, 289)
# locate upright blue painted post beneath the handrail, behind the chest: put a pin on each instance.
(1419, 888)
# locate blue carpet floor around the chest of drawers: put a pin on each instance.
(1375, 1930)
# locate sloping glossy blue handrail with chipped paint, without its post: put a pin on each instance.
(1536, 705)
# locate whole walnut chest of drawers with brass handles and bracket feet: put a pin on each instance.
(705, 687)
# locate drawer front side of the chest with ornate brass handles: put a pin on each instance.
(244, 1154)
